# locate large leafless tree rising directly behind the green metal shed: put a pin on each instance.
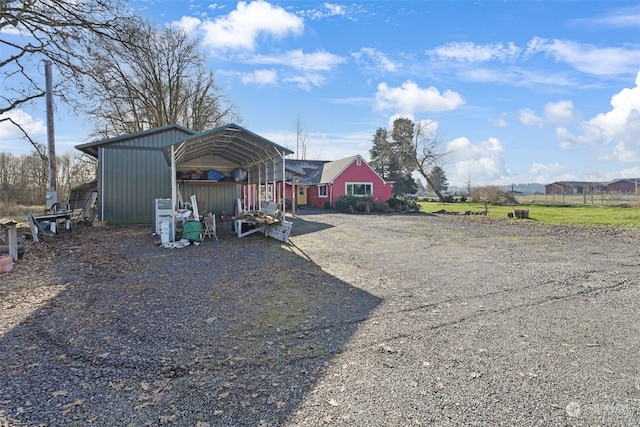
(155, 78)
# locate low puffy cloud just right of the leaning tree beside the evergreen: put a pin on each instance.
(481, 163)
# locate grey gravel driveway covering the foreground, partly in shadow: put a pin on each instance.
(373, 320)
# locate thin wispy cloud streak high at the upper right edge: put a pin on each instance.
(588, 58)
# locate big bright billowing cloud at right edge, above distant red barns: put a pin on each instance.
(620, 126)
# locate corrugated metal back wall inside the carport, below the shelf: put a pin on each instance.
(215, 197)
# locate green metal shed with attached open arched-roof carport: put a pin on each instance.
(136, 169)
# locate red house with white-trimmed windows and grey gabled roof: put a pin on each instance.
(321, 183)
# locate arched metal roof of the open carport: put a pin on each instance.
(231, 142)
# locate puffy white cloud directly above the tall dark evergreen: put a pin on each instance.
(409, 98)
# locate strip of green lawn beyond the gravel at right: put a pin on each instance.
(620, 215)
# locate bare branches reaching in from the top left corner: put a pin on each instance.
(61, 31)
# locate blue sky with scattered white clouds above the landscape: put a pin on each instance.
(516, 91)
